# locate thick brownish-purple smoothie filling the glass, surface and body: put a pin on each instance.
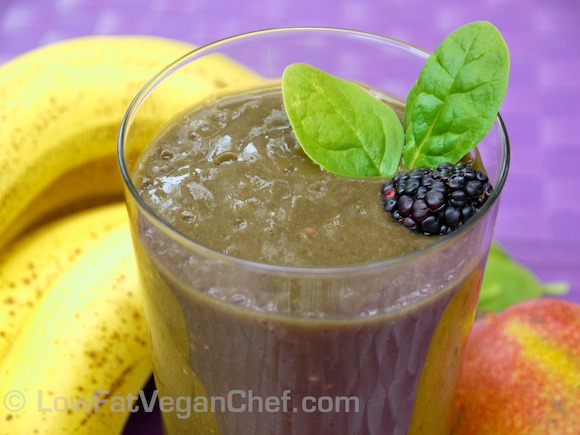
(229, 175)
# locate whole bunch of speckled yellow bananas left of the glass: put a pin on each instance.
(71, 319)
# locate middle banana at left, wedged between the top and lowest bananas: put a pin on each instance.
(32, 264)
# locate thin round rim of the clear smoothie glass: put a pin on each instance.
(267, 267)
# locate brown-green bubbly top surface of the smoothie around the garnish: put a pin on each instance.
(231, 175)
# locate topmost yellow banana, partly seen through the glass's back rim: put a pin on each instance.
(60, 111)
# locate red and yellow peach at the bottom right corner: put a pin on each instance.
(521, 373)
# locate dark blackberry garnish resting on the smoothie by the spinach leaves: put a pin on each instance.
(436, 201)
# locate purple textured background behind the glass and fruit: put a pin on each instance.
(539, 218)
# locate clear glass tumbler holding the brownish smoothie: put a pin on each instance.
(373, 348)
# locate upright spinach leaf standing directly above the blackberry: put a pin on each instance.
(457, 96)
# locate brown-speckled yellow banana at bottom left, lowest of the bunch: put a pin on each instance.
(82, 350)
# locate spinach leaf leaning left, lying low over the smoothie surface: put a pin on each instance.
(341, 126)
